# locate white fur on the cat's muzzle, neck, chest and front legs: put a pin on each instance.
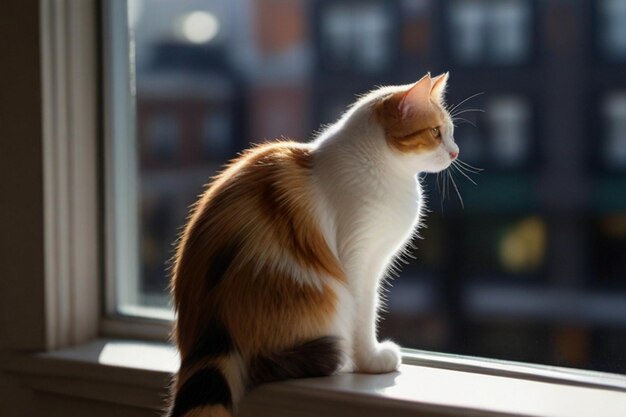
(369, 207)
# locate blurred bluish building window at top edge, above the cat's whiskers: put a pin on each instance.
(490, 32)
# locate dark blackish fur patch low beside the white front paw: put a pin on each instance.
(319, 357)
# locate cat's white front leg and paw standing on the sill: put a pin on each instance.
(370, 356)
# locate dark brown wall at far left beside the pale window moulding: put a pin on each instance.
(21, 196)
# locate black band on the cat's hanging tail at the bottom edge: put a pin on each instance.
(206, 387)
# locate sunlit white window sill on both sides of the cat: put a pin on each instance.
(136, 374)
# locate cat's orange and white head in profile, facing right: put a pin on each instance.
(417, 127)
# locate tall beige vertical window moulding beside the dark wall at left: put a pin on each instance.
(69, 71)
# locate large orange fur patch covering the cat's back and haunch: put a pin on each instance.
(256, 216)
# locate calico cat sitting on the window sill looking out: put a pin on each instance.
(277, 272)
